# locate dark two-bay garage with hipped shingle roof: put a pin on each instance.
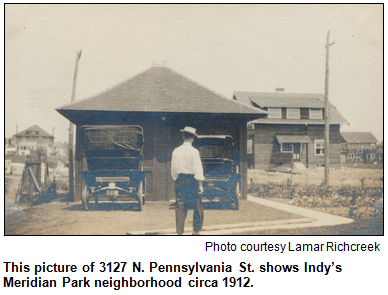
(162, 102)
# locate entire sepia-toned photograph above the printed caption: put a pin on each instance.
(193, 119)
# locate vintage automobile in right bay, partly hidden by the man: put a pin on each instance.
(222, 178)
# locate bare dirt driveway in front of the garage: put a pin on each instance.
(58, 218)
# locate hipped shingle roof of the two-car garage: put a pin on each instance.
(160, 89)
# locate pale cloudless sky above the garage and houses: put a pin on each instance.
(226, 48)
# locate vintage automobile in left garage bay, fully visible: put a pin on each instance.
(113, 169)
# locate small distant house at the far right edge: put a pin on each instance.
(359, 147)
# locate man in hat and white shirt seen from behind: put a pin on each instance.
(187, 171)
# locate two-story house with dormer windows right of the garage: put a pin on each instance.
(292, 135)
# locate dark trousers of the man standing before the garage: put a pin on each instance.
(187, 197)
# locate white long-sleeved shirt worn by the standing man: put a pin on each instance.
(185, 159)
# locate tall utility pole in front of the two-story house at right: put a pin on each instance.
(327, 111)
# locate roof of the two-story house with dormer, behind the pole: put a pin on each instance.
(296, 100)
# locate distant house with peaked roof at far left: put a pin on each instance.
(32, 138)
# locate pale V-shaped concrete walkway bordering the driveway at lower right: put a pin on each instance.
(313, 219)
